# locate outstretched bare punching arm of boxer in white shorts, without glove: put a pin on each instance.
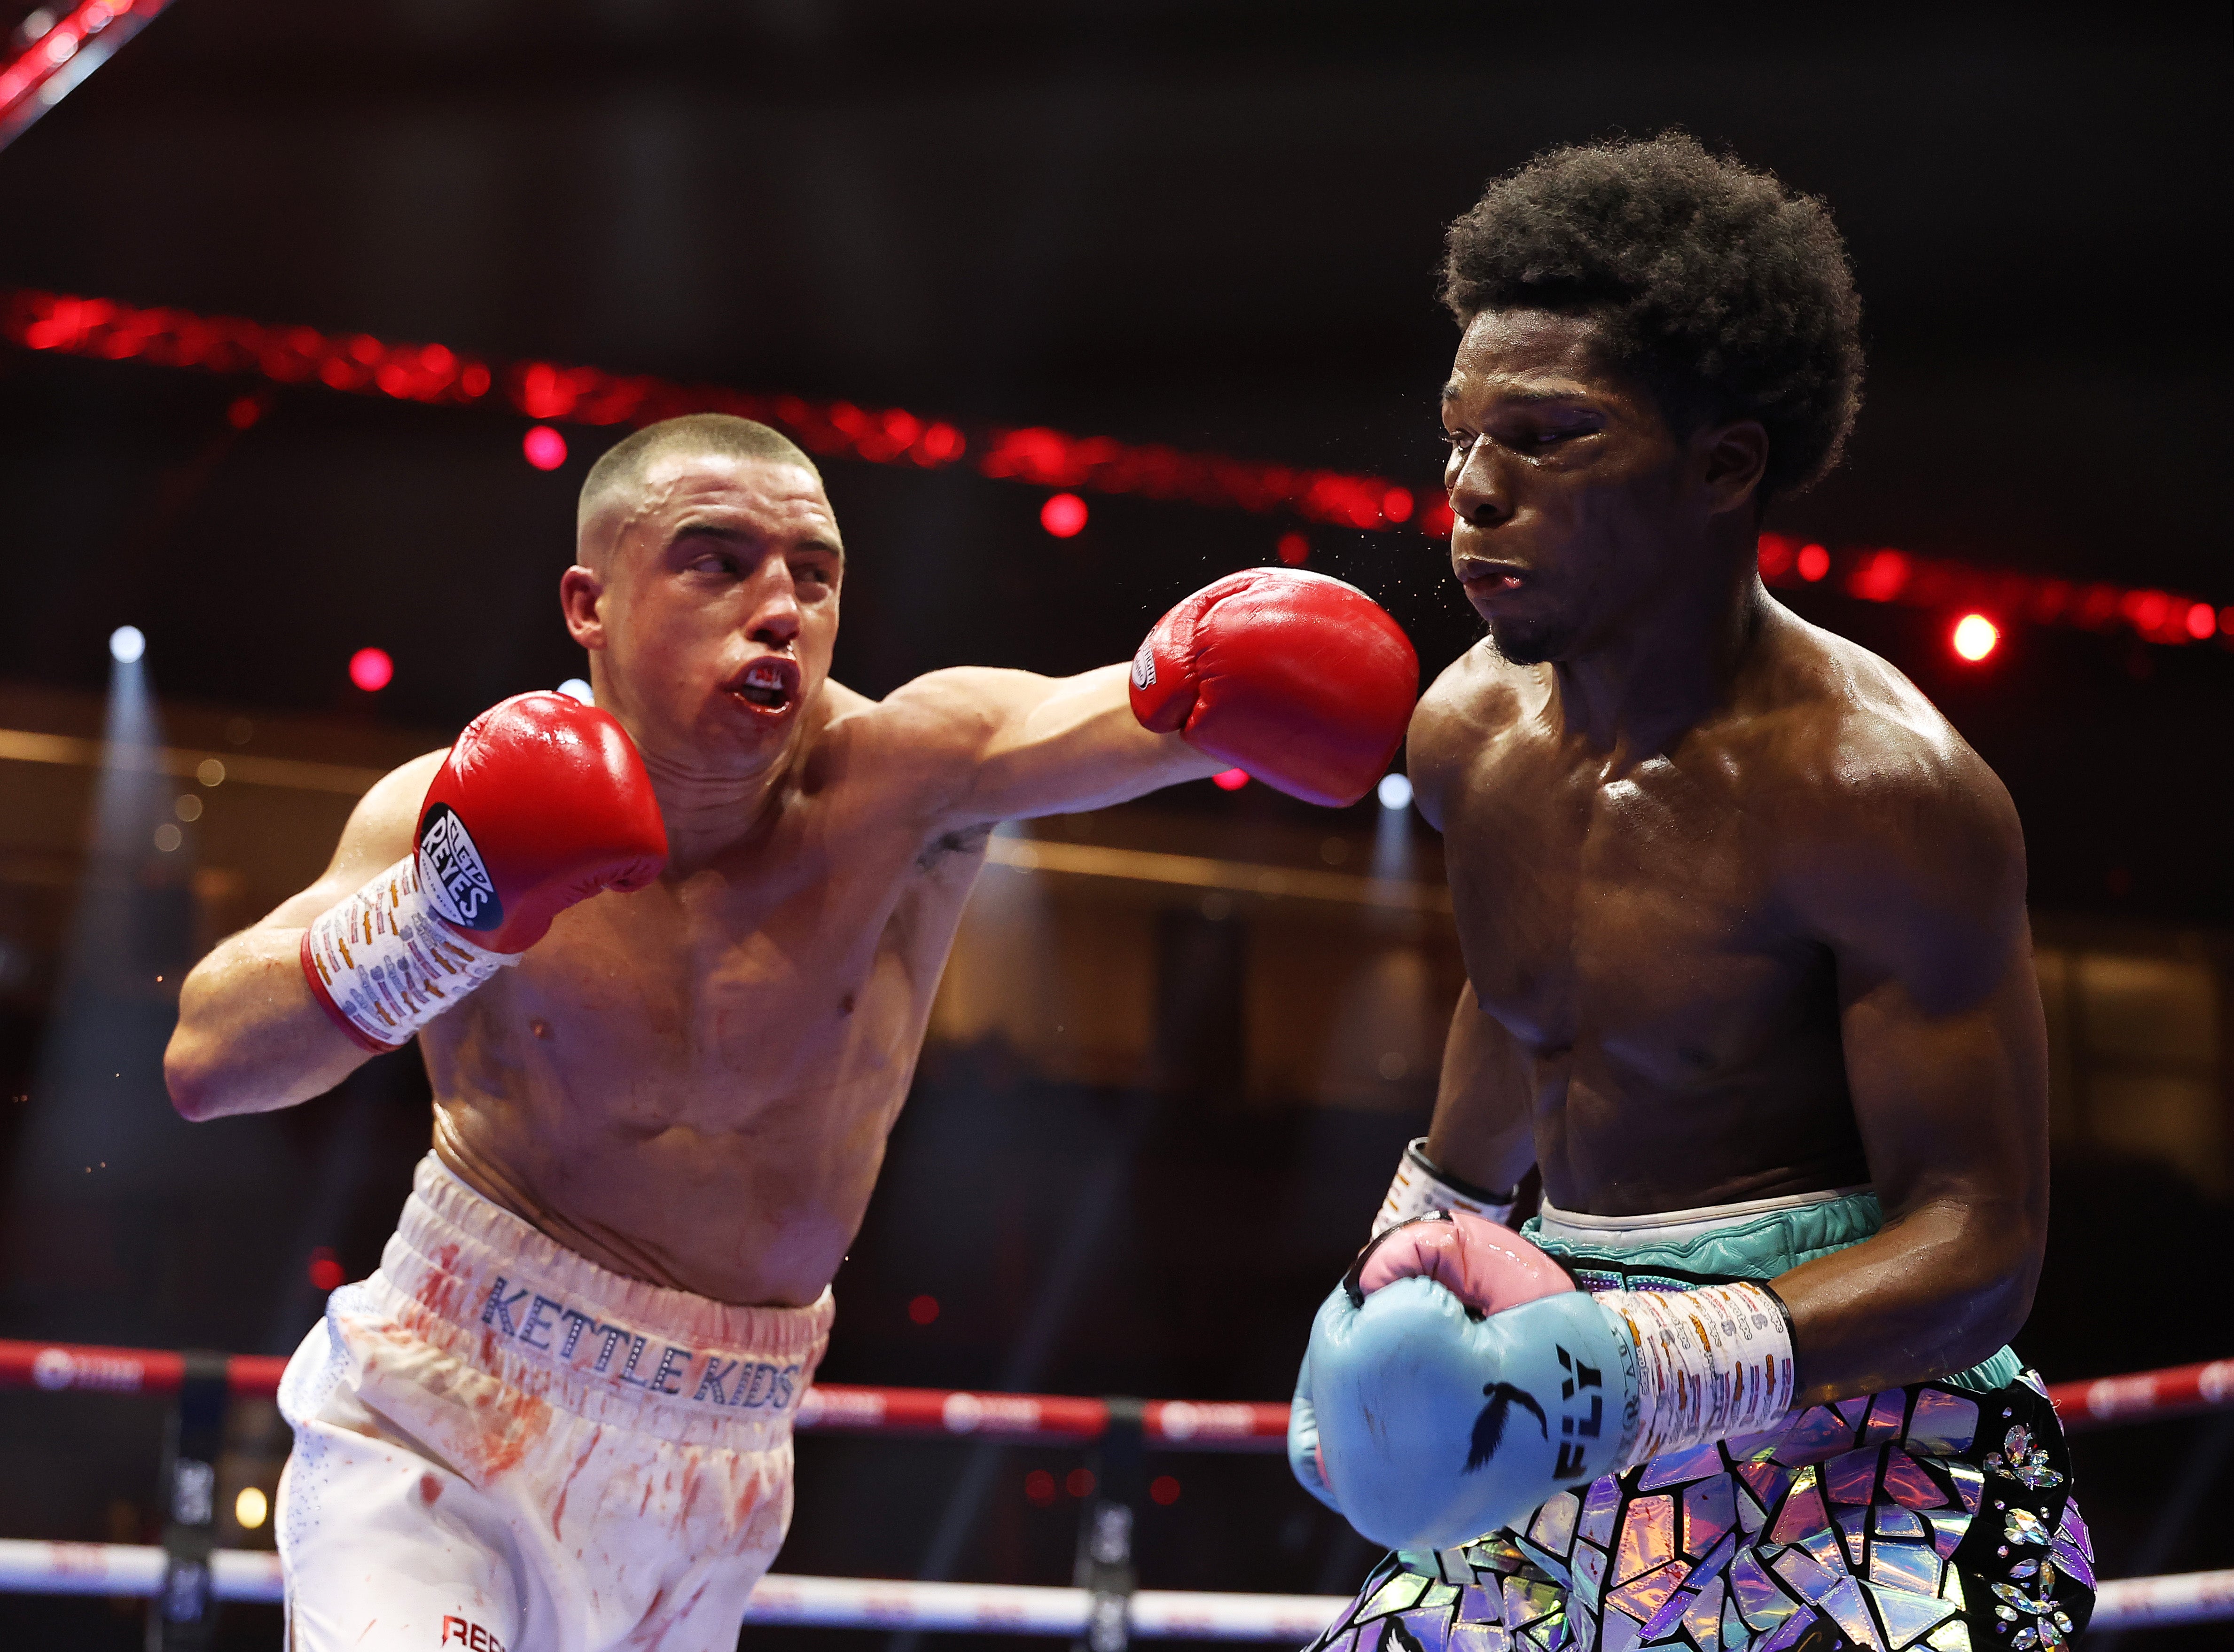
(1024, 746)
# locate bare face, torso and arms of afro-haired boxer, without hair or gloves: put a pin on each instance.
(1741, 913)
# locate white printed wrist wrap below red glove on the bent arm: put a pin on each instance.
(388, 965)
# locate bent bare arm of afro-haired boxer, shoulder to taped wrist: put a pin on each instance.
(1922, 904)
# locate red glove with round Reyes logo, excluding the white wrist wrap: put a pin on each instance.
(542, 804)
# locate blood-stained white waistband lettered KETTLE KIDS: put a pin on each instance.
(524, 1309)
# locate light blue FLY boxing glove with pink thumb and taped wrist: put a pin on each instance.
(1455, 1380)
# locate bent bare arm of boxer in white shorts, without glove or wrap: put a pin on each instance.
(251, 1038)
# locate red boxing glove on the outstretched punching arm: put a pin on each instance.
(1297, 678)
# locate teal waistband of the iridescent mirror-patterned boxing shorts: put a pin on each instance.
(1746, 1249)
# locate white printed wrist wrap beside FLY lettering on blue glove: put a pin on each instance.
(1712, 1365)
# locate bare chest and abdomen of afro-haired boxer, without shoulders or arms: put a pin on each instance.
(1677, 1045)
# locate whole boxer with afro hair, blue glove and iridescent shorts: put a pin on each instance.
(1748, 980)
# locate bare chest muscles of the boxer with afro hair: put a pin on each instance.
(1630, 913)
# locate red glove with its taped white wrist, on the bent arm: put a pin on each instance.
(542, 804)
